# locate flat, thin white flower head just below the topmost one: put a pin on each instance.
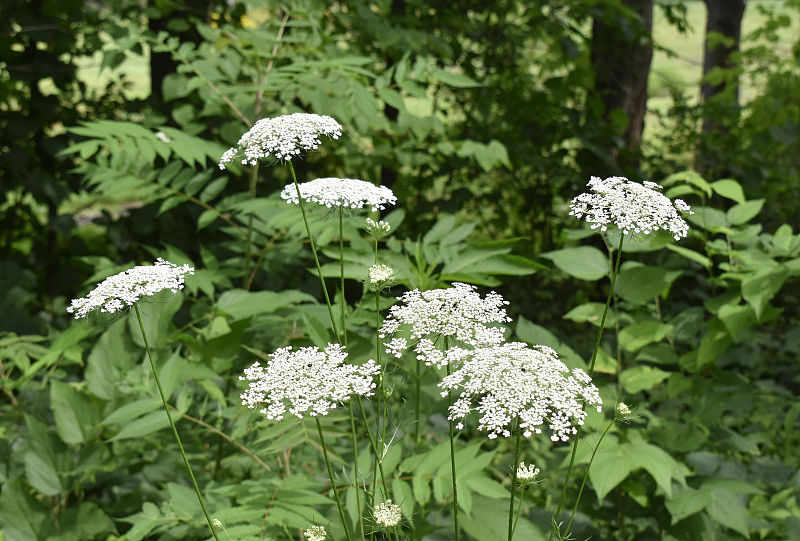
(341, 192)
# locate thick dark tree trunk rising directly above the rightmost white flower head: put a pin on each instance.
(621, 55)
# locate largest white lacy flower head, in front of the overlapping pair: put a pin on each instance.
(511, 381)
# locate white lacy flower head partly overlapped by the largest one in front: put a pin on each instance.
(457, 312)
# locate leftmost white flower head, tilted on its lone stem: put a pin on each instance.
(123, 289)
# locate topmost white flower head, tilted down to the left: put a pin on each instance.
(282, 137)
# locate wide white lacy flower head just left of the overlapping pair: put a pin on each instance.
(310, 380)
